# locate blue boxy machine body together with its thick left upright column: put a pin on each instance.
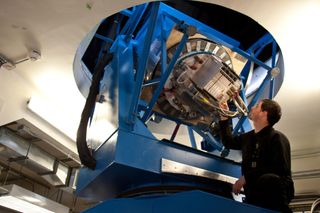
(132, 150)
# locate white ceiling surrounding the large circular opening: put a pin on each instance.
(55, 28)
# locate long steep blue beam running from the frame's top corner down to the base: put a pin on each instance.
(143, 63)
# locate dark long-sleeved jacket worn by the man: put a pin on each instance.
(265, 152)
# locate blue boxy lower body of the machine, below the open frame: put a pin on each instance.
(130, 160)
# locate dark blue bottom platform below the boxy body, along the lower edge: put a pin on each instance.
(190, 201)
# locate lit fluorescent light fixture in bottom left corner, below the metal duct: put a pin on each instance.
(22, 200)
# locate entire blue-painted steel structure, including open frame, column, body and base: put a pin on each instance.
(129, 160)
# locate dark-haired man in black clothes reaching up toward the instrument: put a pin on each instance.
(266, 161)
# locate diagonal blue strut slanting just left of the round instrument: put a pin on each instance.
(165, 77)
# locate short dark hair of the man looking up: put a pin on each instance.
(273, 110)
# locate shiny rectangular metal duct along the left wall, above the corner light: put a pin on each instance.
(18, 150)
